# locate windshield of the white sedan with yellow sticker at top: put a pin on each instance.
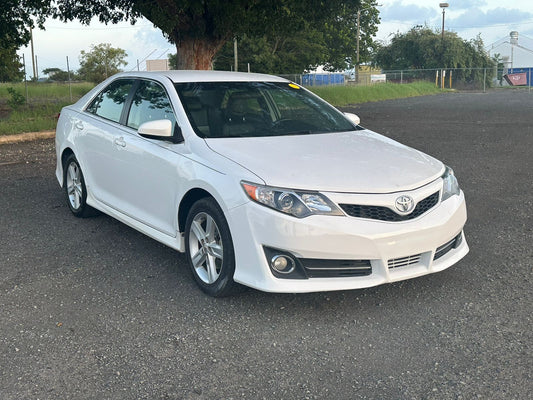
(252, 109)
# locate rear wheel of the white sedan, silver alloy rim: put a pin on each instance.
(75, 190)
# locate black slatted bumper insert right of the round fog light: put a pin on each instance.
(317, 268)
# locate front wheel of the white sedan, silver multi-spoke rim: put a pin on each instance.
(209, 249)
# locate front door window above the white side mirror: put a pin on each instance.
(150, 103)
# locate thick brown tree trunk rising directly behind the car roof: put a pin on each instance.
(197, 53)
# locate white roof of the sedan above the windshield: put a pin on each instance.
(178, 76)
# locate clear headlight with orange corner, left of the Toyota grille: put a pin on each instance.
(294, 202)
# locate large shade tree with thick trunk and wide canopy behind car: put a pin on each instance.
(199, 28)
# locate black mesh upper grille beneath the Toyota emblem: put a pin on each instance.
(386, 214)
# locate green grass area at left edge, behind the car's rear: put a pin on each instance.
(39, 112)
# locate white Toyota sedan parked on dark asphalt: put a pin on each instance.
(259, 182)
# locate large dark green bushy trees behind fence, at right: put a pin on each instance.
(422, 48)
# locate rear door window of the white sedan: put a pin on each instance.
(110, 102)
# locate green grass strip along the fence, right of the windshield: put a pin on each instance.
(345, 95)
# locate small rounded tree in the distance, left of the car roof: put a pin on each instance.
(101, 62)
